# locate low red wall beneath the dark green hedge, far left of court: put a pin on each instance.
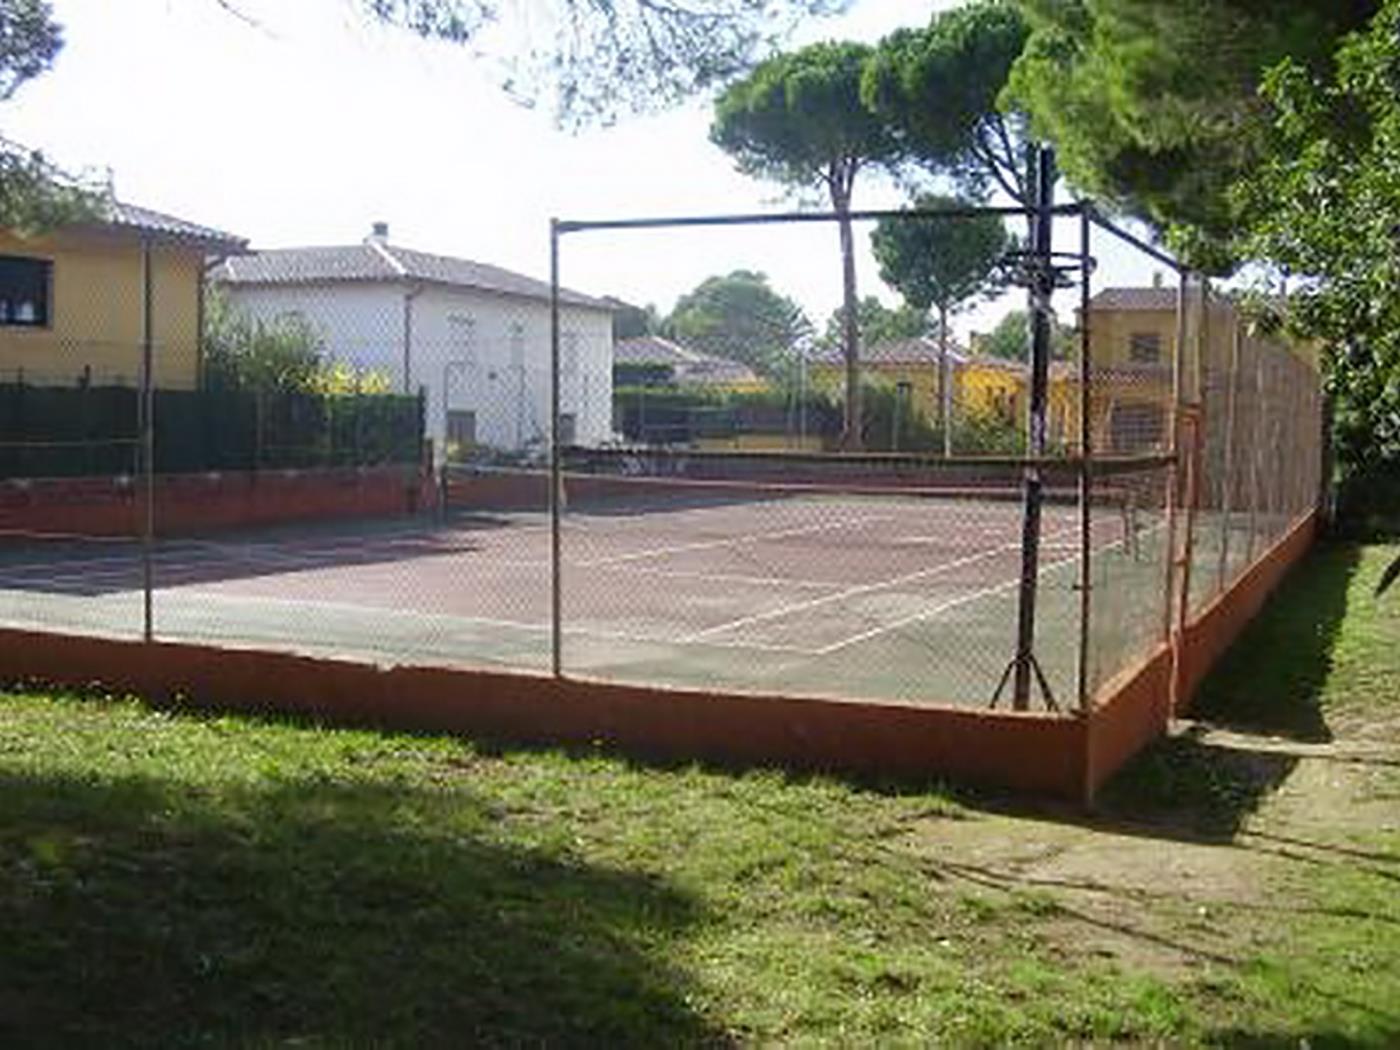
(194, 503)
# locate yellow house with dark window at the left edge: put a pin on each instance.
(73, 306)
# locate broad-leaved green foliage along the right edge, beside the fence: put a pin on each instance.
(1326, 208)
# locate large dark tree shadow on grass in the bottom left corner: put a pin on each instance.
(136, 913)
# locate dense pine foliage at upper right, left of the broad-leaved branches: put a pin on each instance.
(1153, 106)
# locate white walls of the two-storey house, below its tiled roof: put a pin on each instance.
(482, 359)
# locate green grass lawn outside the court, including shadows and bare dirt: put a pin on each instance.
(178, 880)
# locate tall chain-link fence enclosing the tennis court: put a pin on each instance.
(407, 458)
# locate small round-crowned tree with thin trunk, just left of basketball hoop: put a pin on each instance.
(941, 264)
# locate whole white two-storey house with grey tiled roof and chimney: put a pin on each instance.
(474, 338)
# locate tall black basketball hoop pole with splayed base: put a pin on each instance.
(1042, 286)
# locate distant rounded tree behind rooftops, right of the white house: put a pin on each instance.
(740, 316)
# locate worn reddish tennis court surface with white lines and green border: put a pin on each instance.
(856, 598)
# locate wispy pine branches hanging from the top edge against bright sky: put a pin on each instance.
(596, 59)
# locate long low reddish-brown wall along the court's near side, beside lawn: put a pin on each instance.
(1027, 752)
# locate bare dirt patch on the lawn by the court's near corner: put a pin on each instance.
(1179, 869)
